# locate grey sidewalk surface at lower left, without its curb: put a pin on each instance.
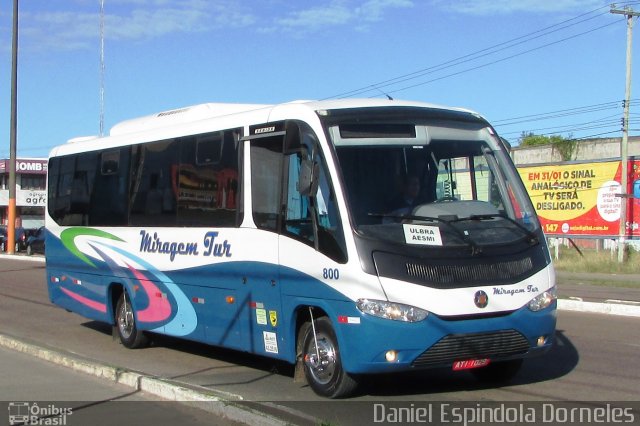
(35, 391)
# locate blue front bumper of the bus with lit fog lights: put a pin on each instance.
(376, 345)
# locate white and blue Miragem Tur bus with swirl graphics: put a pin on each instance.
(347, 237)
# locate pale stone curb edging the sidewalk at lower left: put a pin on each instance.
(227, 406)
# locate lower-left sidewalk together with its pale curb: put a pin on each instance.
(97, 393)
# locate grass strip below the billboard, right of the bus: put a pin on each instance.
(593, 261)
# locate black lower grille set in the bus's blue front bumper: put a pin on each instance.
(458, 347)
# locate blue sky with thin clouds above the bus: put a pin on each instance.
(539, 66)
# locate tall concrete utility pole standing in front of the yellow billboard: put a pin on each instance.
(624, 155)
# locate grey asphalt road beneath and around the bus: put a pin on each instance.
(594, 360)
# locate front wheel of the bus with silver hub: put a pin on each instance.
(325, 374)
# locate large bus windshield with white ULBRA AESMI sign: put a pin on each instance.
(422, 183)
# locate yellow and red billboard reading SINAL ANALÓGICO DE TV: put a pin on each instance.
(583, 199)
